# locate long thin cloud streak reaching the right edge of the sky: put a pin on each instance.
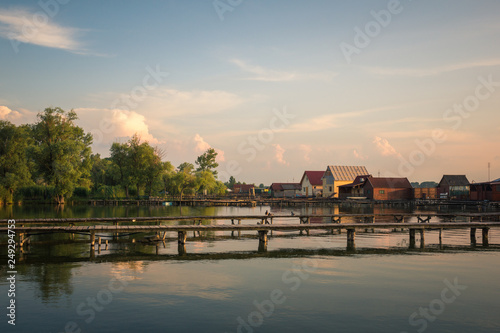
(432, 71)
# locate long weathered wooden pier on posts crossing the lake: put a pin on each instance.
(333, 223)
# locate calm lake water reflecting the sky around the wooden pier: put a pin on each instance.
(224, 284)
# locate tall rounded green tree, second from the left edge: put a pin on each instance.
(61, 151)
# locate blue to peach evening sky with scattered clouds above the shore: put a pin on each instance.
(405, 88)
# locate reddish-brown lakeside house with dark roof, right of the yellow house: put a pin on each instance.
(380, 188)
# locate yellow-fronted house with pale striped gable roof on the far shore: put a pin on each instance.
(338, 175)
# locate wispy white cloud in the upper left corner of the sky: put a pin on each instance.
(24, 26)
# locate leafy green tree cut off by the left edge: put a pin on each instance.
(14, 168)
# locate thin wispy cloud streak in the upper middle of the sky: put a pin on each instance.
(269, 75)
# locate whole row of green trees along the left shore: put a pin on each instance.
(52, 160)
